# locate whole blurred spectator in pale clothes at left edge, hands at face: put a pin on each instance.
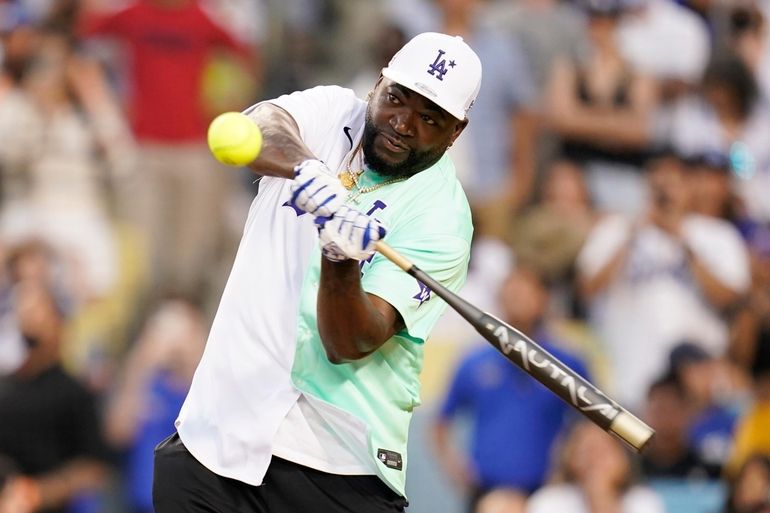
(64, 201)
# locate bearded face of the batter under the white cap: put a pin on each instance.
(404, 131)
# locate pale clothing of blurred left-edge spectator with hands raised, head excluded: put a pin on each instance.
(54, 190)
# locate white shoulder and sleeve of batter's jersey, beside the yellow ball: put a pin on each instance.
(318, 111)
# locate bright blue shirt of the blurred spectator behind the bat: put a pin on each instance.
(515, 419)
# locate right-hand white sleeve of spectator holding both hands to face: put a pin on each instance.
(720, 247)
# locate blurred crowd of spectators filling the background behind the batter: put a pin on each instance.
(618, 167)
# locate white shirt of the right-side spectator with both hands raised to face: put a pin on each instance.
(653, 302)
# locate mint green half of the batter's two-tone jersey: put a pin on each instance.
(429, 222)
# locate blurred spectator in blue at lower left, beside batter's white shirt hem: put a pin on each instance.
(147, 400)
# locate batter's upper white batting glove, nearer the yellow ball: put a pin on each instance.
(316, 190)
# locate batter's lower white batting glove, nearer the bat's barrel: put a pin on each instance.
(349, 234)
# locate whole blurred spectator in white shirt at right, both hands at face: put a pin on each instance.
(662, 277)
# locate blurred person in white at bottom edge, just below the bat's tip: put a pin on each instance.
(593, 476)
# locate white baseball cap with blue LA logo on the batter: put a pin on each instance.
(440, 67)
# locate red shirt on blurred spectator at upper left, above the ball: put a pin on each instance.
(169, 49)
